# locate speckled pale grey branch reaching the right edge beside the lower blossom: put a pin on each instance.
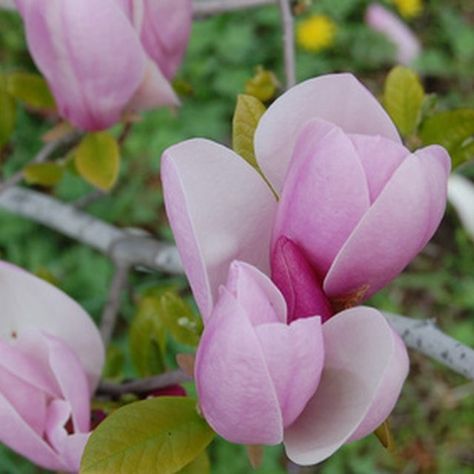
(424, 336)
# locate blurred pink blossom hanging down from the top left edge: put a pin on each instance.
(104, 58)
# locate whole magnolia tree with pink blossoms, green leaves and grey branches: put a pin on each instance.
(324, 199)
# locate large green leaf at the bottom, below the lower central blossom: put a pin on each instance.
(157, 435)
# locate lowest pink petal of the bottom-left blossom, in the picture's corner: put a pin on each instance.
(19, 436)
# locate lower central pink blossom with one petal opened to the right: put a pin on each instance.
(315, 387)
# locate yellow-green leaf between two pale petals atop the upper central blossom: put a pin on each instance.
(248, 112)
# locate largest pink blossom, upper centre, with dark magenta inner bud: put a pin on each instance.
(354, 206)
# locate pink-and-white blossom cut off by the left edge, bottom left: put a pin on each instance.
(51, 357)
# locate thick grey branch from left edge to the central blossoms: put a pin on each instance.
(123, 246)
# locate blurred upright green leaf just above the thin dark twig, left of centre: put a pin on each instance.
(148, 337)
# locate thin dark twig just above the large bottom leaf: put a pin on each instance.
(143, 385)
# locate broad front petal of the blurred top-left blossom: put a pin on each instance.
(90, 55)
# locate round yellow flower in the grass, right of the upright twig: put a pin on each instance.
(316, 33)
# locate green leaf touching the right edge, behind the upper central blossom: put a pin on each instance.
(453, 129)
